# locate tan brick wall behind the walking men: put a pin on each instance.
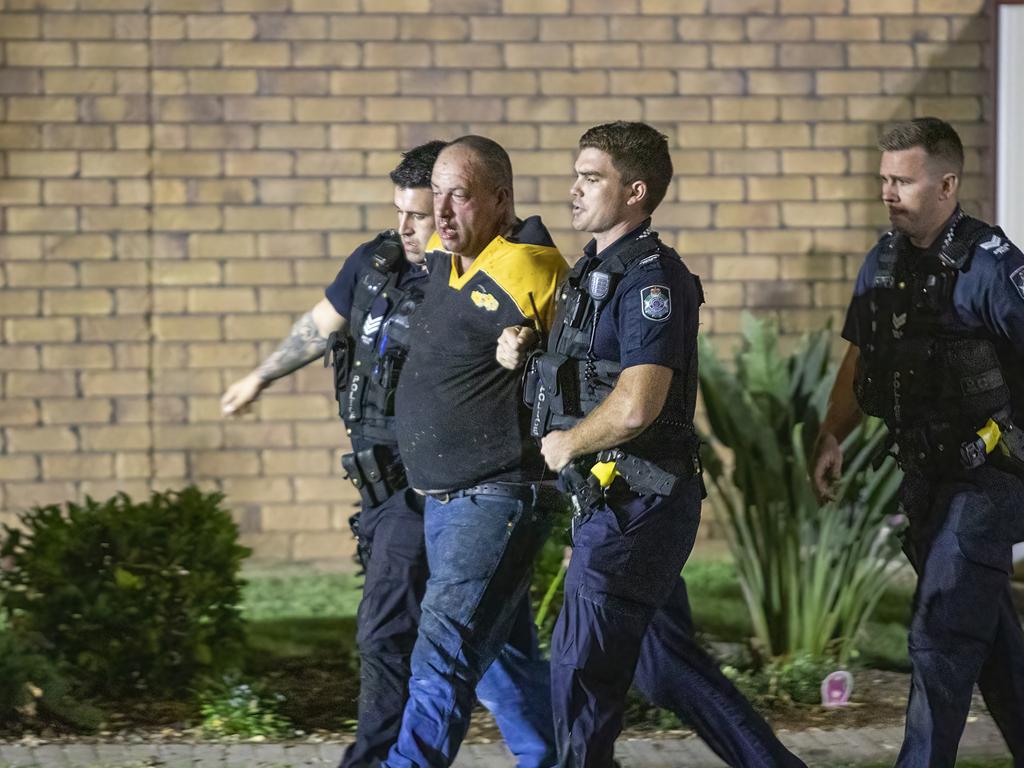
(180, 179)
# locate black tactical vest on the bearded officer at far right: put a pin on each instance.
(930, 377)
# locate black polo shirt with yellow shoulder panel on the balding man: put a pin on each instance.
(460, 415)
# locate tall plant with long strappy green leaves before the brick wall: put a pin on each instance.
(812, 575)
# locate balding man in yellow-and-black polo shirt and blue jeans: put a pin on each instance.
(463, 434)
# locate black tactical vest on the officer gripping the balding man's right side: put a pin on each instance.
(569, 381)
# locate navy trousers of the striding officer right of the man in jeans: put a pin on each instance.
(627, 619)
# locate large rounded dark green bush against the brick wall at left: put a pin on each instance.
(133, 599)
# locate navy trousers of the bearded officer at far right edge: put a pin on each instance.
(965, 629)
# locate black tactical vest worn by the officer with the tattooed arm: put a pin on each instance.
(369, 361)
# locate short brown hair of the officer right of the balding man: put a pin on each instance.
(638, 152)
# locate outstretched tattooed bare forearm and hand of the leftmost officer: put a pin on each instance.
(306, 344)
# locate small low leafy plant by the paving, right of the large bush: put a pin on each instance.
(239, 709)
